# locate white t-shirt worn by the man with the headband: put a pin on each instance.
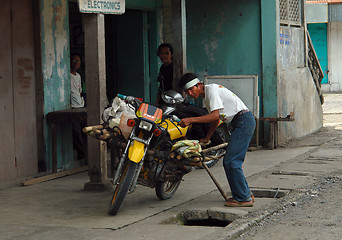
(219, 97)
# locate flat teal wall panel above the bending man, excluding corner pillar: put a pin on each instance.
(223, 37)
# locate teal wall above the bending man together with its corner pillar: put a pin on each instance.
(236, 38)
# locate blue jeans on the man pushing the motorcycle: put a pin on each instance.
(242, 133)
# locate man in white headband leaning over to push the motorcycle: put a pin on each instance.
(222, 104)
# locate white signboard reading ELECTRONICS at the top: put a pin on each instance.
(102, 6)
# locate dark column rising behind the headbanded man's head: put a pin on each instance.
(179, 39)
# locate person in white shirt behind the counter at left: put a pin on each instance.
(76, 101)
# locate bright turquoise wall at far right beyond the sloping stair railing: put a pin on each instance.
(318, 34)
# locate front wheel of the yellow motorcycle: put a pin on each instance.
(122, 187)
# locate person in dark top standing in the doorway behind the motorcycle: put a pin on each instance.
(165, 78)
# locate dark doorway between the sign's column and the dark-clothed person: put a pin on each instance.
(128, 55)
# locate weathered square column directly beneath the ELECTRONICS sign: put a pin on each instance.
(95, 69)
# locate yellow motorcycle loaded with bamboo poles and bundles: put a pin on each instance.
(148, 156)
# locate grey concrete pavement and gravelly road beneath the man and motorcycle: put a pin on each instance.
(304, 168)
